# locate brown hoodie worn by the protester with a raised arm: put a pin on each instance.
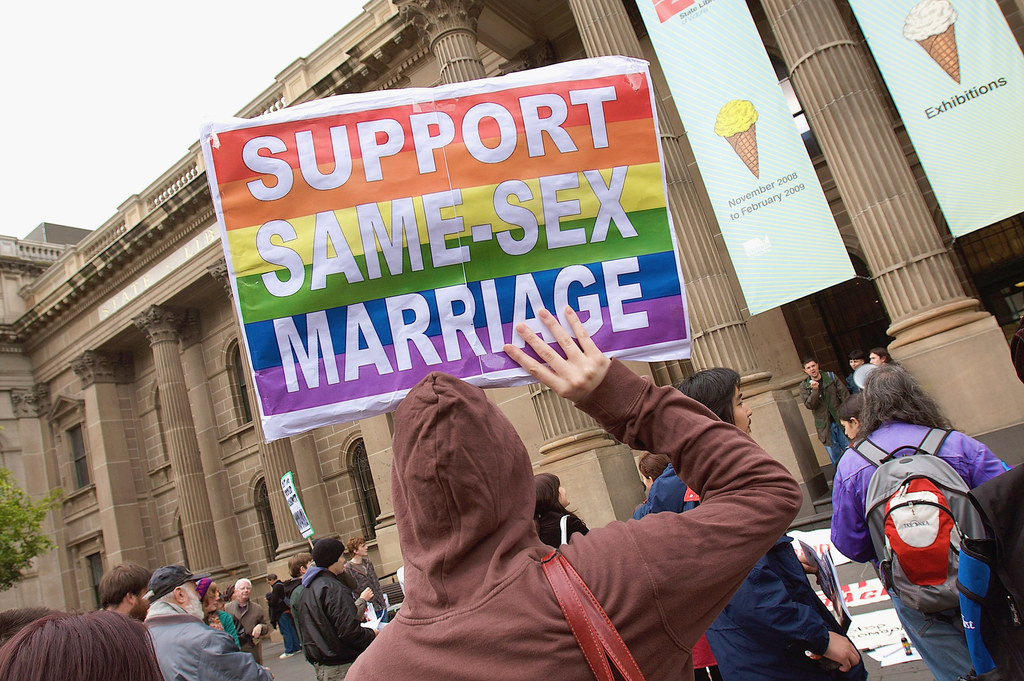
(478, 605)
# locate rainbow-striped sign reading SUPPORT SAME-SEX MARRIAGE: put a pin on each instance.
(374, 238)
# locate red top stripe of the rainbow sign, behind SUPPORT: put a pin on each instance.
(632, 103)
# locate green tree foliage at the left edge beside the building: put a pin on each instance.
(22, 538)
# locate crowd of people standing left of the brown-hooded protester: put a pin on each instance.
(175, 625)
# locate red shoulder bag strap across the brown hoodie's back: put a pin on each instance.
(590, 625)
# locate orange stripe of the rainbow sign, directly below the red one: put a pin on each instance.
(630, 144)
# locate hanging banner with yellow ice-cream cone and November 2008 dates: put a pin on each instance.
(775, 218)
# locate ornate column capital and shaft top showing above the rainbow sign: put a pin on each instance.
(450, 29)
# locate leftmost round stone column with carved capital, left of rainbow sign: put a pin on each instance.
(161, 326)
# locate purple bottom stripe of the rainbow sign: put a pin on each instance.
(665, 324)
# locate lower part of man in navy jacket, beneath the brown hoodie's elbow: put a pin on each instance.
(777, 628)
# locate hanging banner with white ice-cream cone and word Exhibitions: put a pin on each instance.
(957, 76)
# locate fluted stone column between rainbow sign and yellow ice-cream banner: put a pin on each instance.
(721, 337)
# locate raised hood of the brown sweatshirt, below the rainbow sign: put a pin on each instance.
(462, 485)
